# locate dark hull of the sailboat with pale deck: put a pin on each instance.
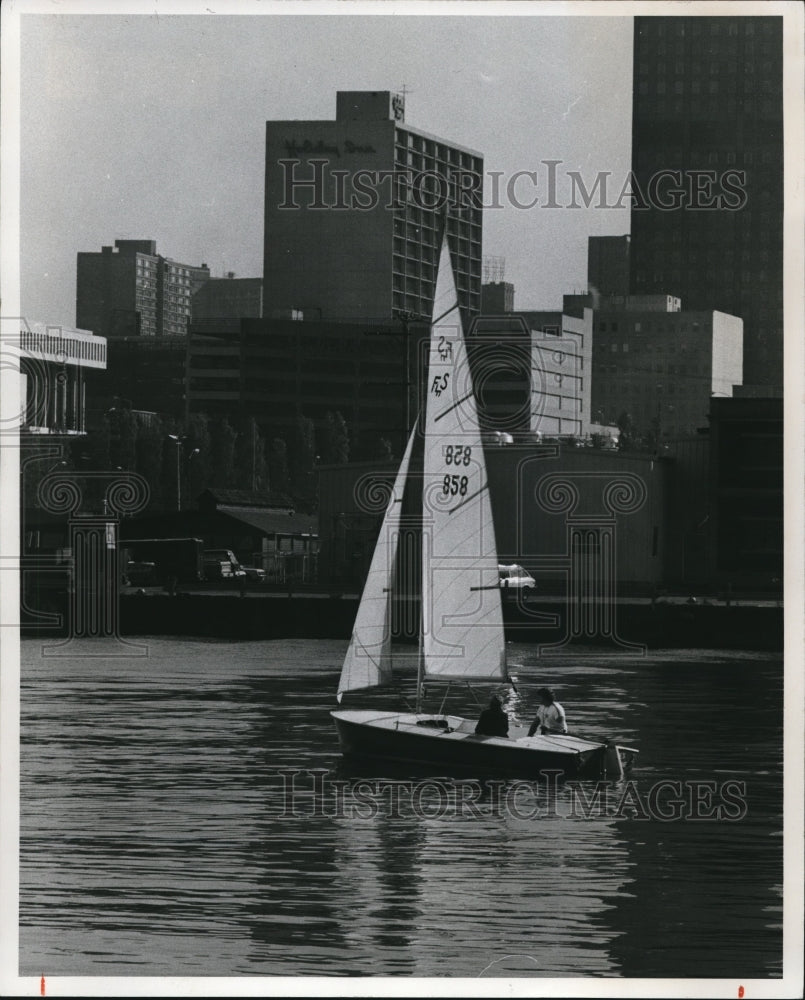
(425, 741)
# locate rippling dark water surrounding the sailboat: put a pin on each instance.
(153, 840)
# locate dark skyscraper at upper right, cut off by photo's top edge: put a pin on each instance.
(707, 158)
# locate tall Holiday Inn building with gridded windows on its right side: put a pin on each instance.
(355, 210)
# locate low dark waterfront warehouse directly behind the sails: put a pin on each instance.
(529, 528)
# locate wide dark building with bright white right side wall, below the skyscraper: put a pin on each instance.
(662, 366)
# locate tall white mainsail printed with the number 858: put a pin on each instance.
(461, 609)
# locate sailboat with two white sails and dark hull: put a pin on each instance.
(461, 638)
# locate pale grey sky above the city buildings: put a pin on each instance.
(148, 126)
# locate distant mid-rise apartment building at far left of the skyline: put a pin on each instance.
(132, 291)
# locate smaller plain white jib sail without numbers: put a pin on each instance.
(368, 659)
